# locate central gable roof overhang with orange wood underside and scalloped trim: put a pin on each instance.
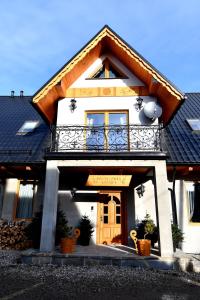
(107, 41)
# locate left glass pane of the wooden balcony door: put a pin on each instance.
(95, 139)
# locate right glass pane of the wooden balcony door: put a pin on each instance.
(118, 132)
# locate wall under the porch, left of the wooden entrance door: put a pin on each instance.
(75, 208)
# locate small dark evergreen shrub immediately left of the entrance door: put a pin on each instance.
(86, 230)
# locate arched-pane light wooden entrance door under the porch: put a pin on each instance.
(109, 218)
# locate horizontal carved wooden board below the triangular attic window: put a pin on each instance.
(107, 92)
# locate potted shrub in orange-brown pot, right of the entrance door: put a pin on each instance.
(148, 227)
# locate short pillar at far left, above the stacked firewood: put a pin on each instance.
(9, 199)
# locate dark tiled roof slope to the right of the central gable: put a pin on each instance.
(181, 143)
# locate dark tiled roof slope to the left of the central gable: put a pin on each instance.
(27, 148)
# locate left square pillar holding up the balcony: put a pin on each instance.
(47, 242)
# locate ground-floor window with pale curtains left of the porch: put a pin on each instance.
(25, 200)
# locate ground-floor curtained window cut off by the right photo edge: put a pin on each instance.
(193, 193)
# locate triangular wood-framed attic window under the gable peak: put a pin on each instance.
(107, 71)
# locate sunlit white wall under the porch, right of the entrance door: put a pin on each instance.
(145, 204)
